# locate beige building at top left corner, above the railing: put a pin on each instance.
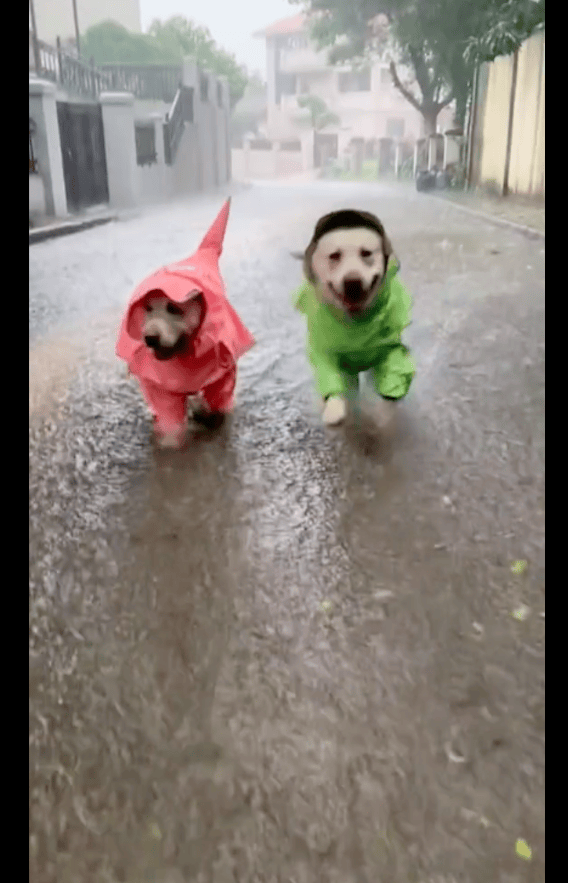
(55, 18)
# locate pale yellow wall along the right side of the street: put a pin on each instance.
(526, 170)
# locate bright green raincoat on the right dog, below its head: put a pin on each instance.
(340, 348)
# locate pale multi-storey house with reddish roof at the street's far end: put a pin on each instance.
(365, 100)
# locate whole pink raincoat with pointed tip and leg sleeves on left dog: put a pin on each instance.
(207, 366)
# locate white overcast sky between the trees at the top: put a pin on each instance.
(231, 22)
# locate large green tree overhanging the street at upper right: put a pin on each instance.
(438, 40)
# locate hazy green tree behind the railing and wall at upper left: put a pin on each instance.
(165, 43)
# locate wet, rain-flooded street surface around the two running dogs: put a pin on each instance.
(287, 654)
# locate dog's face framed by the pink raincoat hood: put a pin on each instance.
(168, 327)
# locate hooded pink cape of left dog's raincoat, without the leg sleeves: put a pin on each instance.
(221, 330)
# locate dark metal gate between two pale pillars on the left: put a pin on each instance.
(83, 150)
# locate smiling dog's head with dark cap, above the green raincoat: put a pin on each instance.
(347, 260)
